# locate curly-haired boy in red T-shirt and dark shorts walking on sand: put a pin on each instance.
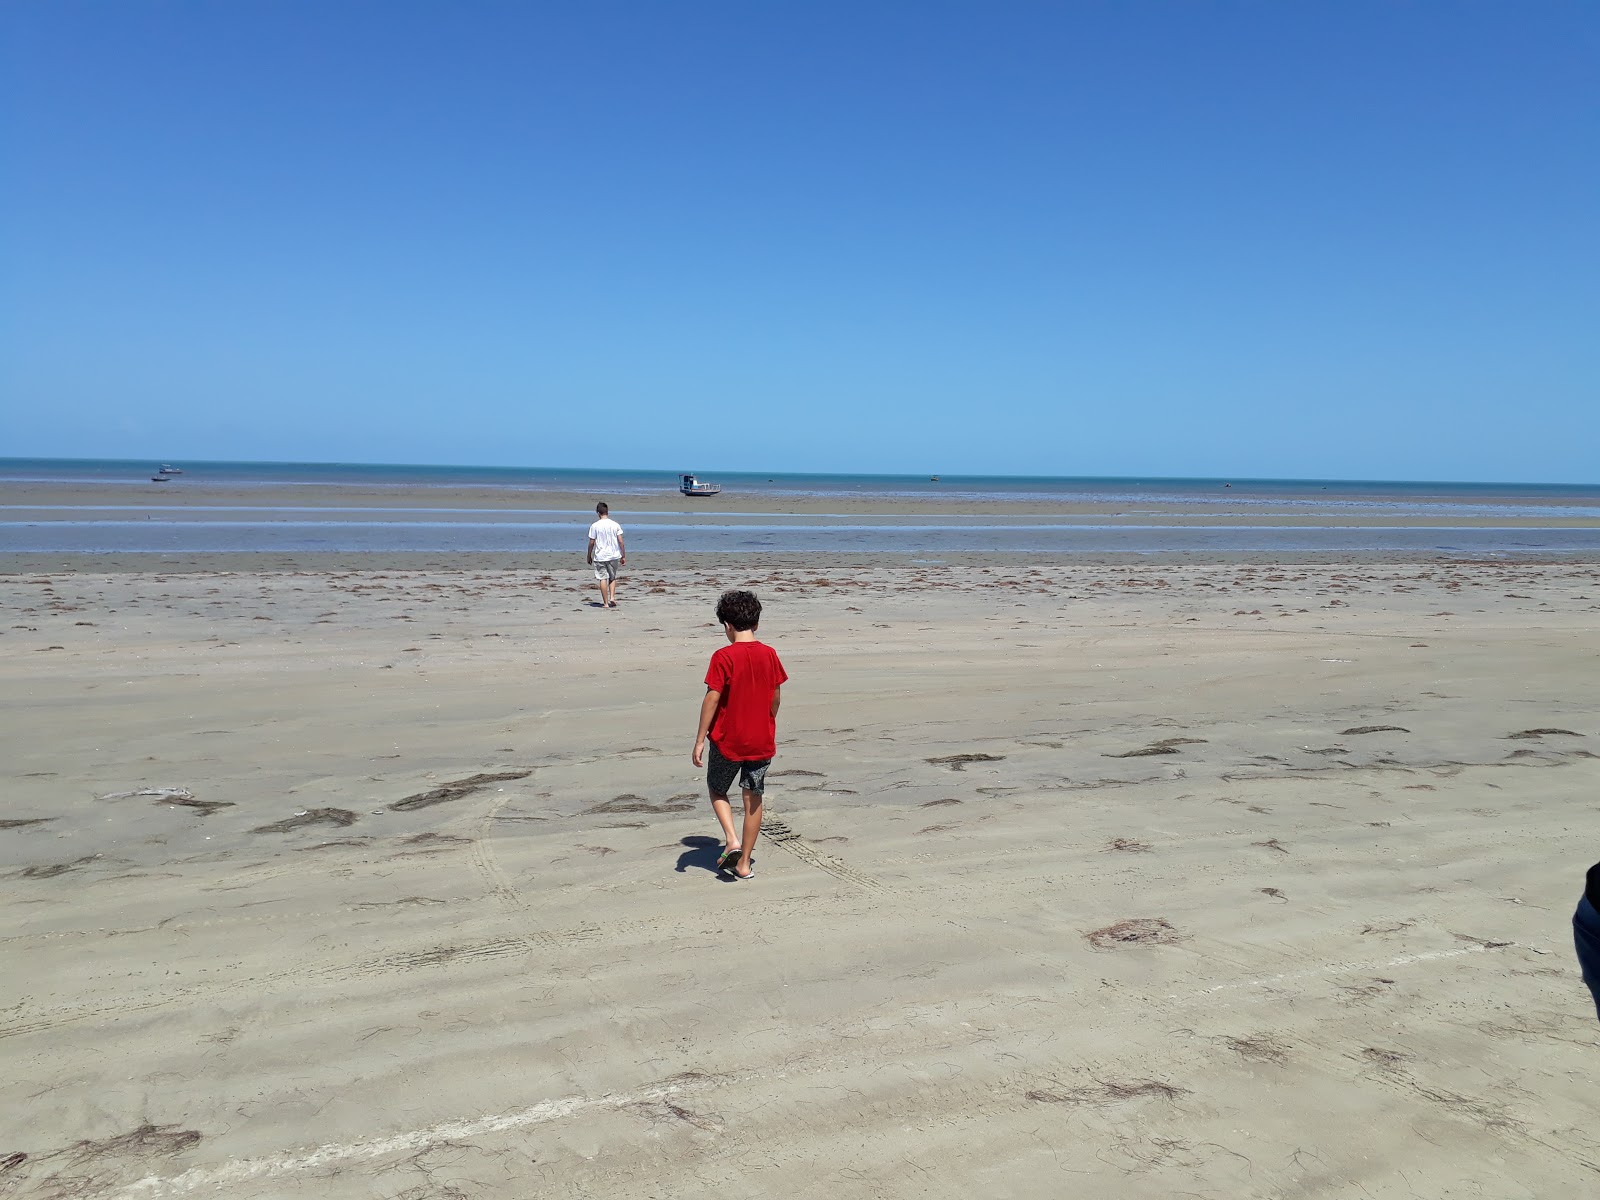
(740, 716)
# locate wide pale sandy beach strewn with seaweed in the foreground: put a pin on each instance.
(1079, 879)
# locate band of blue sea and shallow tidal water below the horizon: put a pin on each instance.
(1330, 514)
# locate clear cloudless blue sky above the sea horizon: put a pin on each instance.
(1342, 239)
